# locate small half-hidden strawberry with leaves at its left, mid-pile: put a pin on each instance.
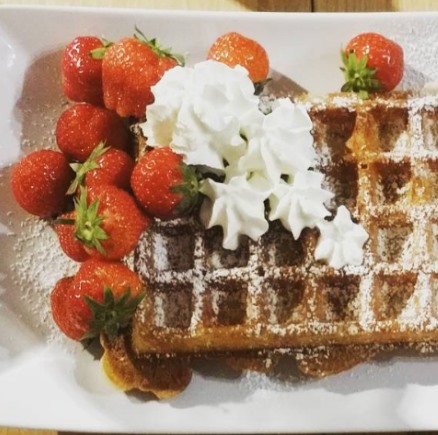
(105, 165)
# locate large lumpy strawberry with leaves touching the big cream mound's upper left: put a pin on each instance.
(129, 68)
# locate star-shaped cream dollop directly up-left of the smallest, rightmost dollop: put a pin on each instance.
(299, 203)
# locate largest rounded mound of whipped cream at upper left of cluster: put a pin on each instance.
(200, 112)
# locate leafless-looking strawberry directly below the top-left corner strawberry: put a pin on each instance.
(83, 126)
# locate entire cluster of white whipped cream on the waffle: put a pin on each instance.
(210, 115)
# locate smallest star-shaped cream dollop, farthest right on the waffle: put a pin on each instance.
(341, 240)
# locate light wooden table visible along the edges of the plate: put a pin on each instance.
(235, 5)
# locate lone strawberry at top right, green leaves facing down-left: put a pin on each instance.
(371, 63)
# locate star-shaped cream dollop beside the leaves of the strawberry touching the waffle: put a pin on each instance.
(237, 206)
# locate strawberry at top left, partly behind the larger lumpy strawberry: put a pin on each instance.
(81, 71)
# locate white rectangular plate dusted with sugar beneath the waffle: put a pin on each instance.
(49, 382)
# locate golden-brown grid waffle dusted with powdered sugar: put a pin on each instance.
(270, 297)
